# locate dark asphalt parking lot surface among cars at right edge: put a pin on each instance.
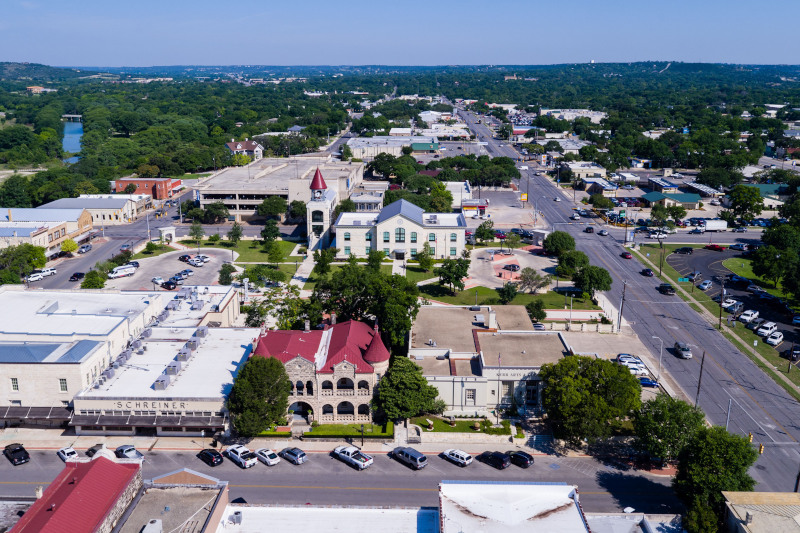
(709, 263)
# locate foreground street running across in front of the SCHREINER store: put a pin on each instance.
(327, 481)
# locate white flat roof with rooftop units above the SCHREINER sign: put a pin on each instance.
(208, 373)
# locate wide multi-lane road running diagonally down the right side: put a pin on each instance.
(758, 405)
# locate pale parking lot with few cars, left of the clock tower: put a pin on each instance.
(167, 265)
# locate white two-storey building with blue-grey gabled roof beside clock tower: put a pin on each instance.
(400, 230)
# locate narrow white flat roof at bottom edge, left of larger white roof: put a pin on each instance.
(288, 519)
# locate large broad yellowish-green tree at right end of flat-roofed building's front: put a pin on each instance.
(584, 395)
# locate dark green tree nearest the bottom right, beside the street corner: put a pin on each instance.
(712, 462)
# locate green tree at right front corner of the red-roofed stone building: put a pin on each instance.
(404, 392)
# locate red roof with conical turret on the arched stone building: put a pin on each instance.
(348, 341)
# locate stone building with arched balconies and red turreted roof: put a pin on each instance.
(333, 371)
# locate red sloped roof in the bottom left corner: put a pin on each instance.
(79, 498)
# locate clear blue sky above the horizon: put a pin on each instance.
(405, 32)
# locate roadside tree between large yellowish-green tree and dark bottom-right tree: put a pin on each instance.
(664, 426)
